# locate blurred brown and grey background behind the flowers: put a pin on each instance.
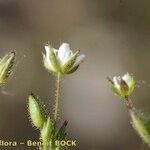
(114, 36)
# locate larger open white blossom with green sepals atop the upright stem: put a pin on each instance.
(63, 60)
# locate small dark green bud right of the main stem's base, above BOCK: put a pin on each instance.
(62, 134)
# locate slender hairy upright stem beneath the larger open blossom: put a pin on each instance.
(57, 96)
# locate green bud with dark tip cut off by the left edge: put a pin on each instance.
(6, 64)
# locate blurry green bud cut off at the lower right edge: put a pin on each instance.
(141, 123)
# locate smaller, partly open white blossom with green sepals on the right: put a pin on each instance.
(123, 86)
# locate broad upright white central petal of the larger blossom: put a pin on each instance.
(64, 52)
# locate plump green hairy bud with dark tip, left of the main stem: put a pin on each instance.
(36, 111)
